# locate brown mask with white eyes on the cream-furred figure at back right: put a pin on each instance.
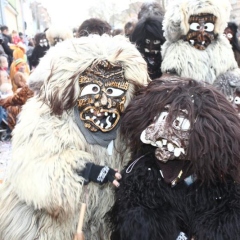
(201, 32)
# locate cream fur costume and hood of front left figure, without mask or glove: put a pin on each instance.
(41, 196)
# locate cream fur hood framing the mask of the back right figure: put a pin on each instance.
(176, 24)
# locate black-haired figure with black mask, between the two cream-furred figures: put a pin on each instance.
(148, 37)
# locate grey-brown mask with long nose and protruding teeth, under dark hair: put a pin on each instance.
(170, 141)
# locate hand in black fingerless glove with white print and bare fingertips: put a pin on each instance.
(100, 174)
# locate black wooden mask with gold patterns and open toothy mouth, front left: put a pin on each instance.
(101, 101)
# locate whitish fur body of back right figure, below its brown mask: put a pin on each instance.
(183, 59)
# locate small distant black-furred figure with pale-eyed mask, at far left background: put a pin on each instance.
(40, 49)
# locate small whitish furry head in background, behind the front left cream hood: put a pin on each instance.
(56, 34)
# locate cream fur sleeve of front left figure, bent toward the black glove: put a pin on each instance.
(47, 154)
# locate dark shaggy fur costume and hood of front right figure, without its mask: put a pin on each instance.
(204, 203)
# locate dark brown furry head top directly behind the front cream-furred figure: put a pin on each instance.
(94, 26)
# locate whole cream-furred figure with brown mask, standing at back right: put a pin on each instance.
(195, 46)
